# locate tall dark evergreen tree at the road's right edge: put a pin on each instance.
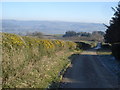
(112, 35)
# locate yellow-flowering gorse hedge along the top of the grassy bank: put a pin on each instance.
(45, 47)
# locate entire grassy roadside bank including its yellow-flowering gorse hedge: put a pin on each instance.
(32, 62)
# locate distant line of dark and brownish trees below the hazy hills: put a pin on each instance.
(94, 36)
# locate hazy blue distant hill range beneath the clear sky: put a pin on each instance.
(49, 27)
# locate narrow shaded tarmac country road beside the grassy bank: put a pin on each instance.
(87, 71)
